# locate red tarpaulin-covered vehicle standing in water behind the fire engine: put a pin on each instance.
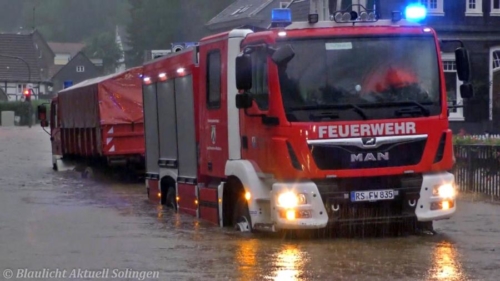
(98, 121)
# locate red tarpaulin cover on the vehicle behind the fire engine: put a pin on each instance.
(107, 100)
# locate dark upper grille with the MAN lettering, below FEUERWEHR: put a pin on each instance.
(332, 156)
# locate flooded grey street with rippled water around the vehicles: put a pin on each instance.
(57, 221)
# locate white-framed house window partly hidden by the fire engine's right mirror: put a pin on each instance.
(452, 86)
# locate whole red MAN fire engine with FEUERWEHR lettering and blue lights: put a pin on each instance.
(305, 125)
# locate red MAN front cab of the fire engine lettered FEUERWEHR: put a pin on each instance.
(349, 119)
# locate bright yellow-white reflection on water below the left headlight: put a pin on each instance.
(289, 263)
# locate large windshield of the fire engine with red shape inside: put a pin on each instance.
(360, 78)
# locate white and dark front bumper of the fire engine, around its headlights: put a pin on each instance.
(328, 202)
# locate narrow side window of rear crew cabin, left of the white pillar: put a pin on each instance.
(213, 79)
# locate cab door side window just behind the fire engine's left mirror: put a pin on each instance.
(259, 90)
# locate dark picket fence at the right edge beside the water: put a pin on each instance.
(477, 167)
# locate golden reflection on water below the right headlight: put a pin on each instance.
(445, 263)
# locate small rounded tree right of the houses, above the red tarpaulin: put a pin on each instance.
(103, 45)
